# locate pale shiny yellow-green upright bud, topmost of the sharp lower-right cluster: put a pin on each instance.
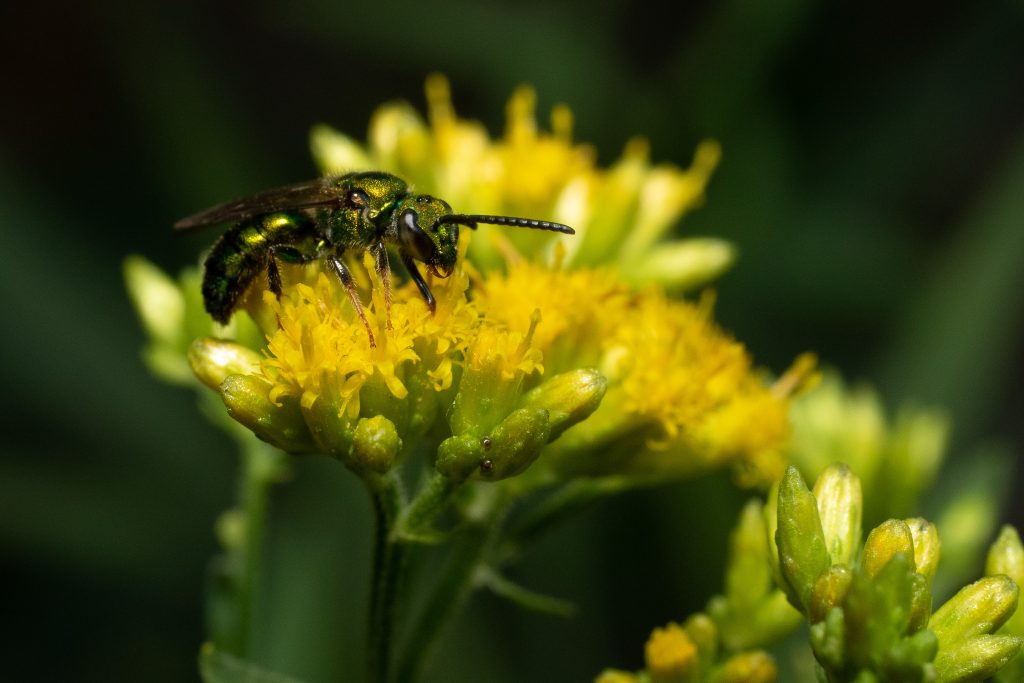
(840, 506)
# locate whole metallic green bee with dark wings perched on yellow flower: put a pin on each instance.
(325, 219)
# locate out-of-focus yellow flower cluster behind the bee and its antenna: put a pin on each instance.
(622, 216)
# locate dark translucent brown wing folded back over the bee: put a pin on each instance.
(298, 196)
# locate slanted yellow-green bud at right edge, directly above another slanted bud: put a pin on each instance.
(977, 610)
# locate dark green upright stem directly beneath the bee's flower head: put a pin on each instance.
(389, 561)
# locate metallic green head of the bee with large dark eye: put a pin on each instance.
(422, 233)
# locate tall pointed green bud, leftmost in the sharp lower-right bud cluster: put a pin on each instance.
(802, 552)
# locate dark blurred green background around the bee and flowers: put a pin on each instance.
(873, 180)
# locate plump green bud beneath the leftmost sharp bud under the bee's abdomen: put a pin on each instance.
(247, 400)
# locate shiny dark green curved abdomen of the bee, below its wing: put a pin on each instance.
(240, 257)
